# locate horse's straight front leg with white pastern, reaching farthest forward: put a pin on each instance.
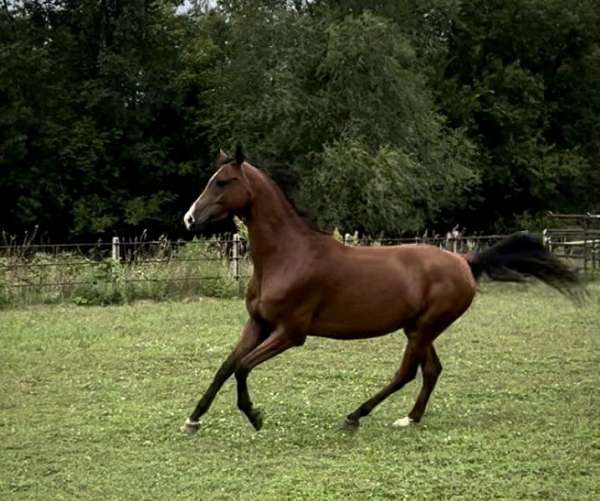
(252, 334)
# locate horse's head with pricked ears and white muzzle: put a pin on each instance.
(226, 193)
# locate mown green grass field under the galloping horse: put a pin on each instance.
(92, 398)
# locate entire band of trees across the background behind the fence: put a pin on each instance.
(413, 114)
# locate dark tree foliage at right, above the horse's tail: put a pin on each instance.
(515, 73)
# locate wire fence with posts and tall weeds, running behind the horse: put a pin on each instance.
(123, 270)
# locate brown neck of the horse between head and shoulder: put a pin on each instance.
(274, 227)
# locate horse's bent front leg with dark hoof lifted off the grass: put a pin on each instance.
(275, 344)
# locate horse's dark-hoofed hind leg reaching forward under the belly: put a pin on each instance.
(413, 354)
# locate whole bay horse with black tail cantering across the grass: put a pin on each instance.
(306, 283)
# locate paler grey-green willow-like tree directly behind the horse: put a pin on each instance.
(342, 100)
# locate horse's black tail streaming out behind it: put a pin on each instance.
(524, 255)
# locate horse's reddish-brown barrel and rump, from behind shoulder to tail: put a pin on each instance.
(380, 290)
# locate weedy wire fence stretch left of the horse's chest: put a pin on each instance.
(122, 270)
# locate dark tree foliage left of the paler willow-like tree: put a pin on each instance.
(94, 109)
